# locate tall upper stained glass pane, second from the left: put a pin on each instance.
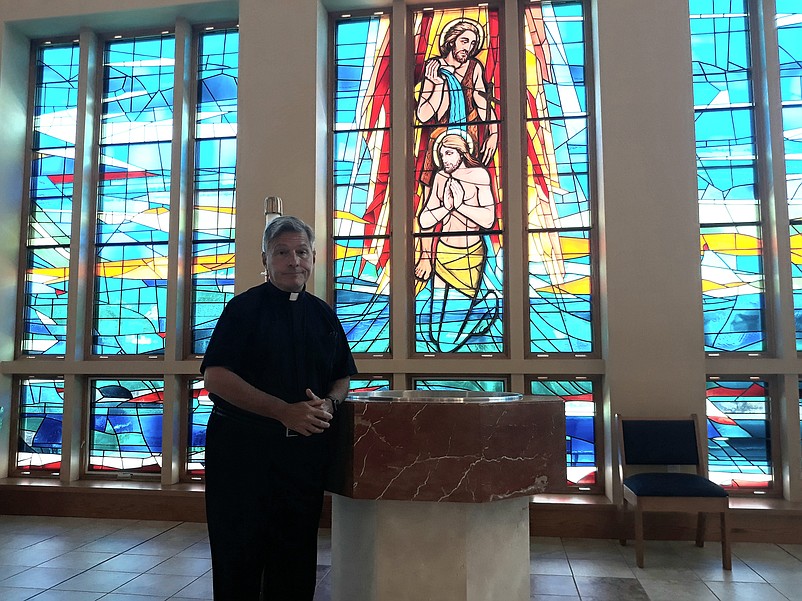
(133, 201)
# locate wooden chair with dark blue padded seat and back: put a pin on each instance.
(660, 445)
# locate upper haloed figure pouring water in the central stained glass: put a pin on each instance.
(454, 94)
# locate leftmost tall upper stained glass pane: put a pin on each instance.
(50, 200)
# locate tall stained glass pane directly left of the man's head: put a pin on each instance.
(215, 177)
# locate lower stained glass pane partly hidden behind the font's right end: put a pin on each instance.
(580, 427)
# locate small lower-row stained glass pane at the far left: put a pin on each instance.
(41, 409)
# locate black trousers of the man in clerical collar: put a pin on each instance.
(263, 522)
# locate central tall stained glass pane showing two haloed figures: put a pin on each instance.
(457, 269)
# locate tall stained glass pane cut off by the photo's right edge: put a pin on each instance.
(789, 38)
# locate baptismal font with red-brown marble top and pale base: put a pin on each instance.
(432, 493)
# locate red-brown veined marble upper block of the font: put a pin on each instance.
(452, 452)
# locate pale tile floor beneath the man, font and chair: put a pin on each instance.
(72, 559)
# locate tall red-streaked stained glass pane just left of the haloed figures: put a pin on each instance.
(361, 181)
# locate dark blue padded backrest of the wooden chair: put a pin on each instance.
(659, 441)
